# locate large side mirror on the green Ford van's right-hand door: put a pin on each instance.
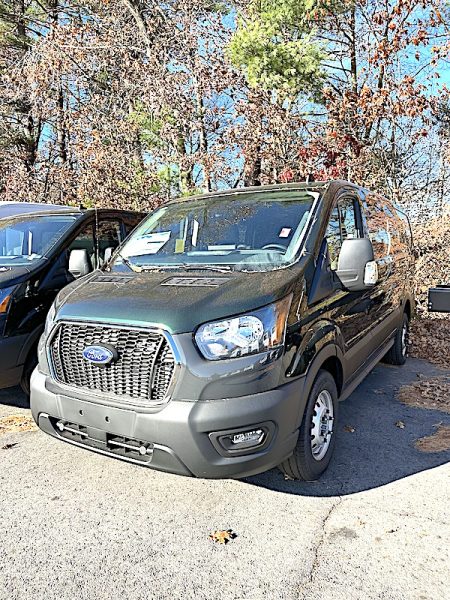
(357, 269)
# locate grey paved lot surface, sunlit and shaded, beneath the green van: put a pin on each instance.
(74, 524)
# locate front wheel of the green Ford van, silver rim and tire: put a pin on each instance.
(317, 432)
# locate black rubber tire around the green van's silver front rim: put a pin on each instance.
(303, 464)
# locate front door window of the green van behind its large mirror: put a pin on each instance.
(343, 225)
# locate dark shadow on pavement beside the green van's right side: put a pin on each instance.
(377, 452)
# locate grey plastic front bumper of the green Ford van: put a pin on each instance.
(178, 437)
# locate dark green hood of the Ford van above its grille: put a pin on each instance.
(177, 301)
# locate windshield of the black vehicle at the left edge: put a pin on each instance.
(27, 238)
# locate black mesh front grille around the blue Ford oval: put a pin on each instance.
(142, 372)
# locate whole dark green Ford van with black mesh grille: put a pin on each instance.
(218, 340)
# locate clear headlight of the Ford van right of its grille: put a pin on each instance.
(258, 331)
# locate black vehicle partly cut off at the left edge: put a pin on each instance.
(42, 249)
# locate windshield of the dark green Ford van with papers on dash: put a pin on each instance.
(254, 231)
